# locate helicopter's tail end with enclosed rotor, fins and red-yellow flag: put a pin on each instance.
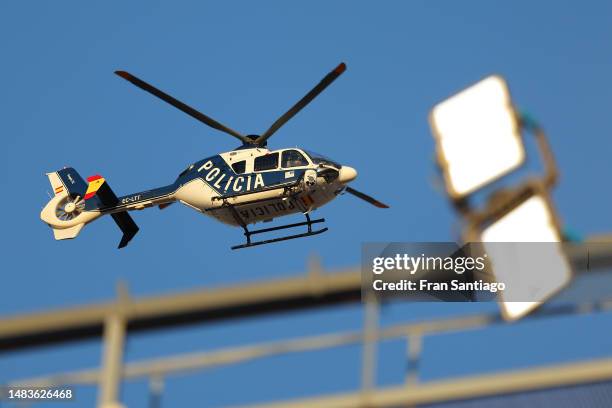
(67, 212)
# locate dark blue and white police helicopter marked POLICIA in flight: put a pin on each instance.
(240, 187)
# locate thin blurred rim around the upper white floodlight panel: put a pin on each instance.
(443, 163)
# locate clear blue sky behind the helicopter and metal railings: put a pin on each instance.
(245, 63)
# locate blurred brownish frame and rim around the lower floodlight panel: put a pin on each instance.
(500, 206)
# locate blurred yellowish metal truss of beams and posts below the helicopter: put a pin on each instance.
(115, 320)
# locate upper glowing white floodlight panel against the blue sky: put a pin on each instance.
(477, 136)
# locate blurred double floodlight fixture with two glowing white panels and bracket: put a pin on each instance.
(478, 136)
